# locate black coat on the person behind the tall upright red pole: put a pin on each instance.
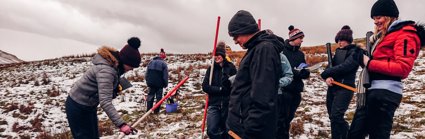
(220, 79)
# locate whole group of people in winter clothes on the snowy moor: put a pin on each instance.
(260, 98)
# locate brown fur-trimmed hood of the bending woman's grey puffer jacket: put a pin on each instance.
(105, 56)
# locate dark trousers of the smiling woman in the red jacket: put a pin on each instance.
(376, 118)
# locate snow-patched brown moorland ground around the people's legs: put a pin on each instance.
(32, 99)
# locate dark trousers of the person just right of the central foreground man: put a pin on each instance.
(288, 103)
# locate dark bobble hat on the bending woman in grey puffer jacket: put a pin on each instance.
(129, 54)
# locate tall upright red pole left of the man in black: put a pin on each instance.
(211, 73)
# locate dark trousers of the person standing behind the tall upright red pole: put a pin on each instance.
(216, 122)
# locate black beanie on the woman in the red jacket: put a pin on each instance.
(384, 8)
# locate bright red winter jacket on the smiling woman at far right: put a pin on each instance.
(395, 55)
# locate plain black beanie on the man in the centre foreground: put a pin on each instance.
(242, 23)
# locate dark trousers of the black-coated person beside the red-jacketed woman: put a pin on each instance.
(337, 101)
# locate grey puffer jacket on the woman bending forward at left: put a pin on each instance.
(97, 84)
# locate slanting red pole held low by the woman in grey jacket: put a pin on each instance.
(156, 105)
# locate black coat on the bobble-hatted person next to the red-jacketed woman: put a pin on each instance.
(345, 64)
